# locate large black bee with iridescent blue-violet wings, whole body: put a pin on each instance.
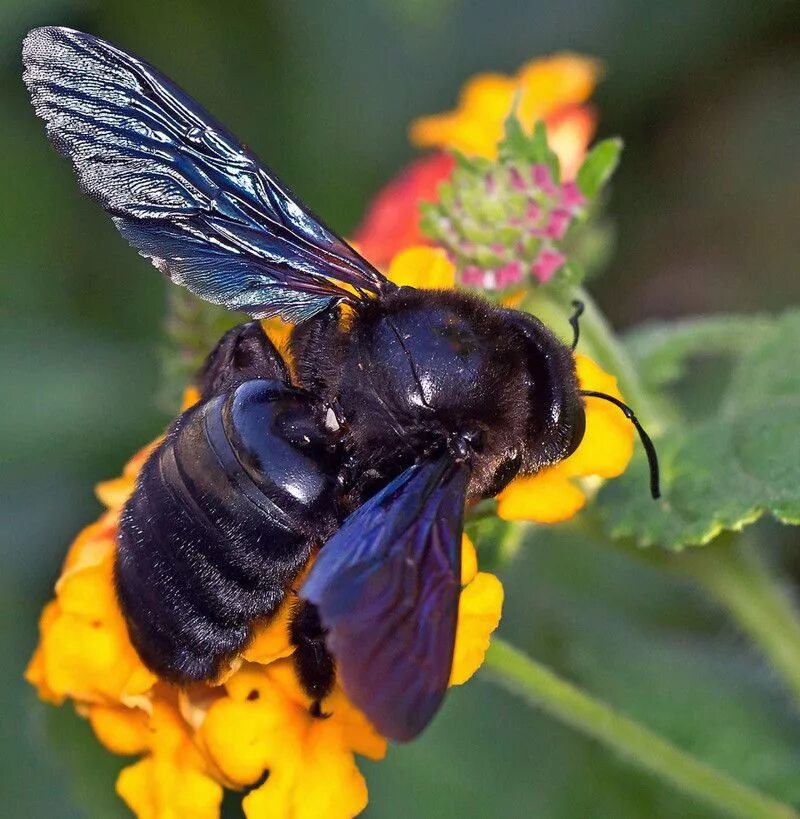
(403, 406)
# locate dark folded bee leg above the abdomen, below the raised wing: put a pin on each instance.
(243, 353)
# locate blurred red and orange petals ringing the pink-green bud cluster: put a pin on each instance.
(552, 89)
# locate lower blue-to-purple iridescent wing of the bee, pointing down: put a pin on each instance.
(387, 586)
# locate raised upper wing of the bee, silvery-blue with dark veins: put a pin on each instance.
(181, 188)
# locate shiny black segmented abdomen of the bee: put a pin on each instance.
(224, 516)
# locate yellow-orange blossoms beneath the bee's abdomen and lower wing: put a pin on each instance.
(254, 721)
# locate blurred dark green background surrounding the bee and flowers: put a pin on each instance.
(706, 94)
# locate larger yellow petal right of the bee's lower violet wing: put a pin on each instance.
(480, 607)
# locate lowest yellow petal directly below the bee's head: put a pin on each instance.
(547, 497)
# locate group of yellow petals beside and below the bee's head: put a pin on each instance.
(553, 495)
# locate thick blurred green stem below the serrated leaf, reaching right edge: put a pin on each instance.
(734, 574)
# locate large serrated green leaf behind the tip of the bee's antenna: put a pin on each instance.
(728, 470)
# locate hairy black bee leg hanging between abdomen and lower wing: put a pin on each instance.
(313, 662)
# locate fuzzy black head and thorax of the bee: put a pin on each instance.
(447, 369)
